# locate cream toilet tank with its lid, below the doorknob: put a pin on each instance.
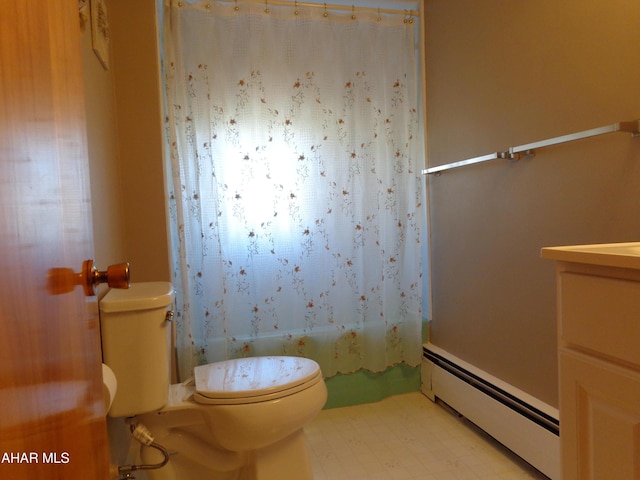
(136, 345)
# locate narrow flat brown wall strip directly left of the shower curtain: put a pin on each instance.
(137, 85)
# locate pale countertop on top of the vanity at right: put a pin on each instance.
(623, 255)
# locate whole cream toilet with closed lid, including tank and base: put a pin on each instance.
(239, 419)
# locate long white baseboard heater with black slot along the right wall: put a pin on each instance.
(520, 422)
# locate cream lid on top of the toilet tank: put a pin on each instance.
(139, 296)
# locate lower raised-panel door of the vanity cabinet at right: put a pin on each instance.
(600, 419)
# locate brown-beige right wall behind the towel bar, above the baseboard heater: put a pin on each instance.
(502, 74)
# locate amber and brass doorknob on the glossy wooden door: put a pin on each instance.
(64, 280)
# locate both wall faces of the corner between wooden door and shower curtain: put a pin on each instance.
(125, 143)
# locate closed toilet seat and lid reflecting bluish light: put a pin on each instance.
(252, 380)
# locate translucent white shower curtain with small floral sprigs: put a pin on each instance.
(295, 187)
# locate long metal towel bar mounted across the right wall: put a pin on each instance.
(513, 153)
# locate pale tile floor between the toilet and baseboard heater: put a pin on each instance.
(407, 437)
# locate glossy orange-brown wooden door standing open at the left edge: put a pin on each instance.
(51, 421)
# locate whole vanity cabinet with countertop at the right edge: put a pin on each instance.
(599, 360)
